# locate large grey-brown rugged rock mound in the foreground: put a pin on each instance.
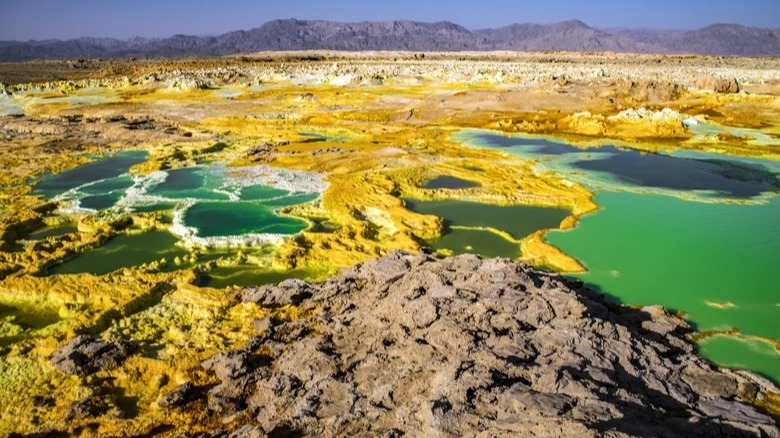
(411, 345)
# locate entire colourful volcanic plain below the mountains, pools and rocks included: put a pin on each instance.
(390, 244)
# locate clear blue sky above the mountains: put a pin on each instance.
(42, 19)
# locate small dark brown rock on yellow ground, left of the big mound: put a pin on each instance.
(86, 355)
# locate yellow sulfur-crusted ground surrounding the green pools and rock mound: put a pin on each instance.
(383, 125)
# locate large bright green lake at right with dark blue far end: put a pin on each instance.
(668, 233)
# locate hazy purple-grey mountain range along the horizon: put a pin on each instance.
(292, 34)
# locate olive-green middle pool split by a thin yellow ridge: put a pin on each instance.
(516, 220)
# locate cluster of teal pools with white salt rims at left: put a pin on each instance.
(207, 201)
